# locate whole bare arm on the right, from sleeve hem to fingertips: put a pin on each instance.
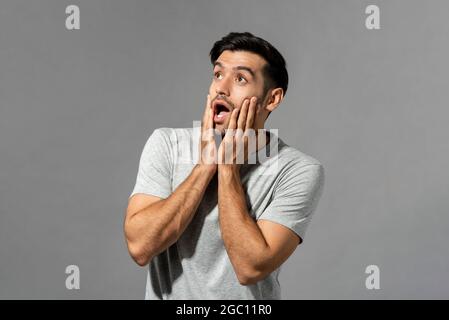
(255, 249)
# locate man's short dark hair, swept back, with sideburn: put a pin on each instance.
(275, 71)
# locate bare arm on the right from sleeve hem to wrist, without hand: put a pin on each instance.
(255, 249)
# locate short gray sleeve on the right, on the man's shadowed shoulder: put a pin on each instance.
(295, 197)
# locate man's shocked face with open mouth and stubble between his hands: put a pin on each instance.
(237, 75)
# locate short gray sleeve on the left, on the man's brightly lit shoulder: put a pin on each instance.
(155, 166)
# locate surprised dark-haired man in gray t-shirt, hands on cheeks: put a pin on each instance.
(217, 228)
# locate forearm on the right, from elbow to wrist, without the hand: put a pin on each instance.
(244, 242)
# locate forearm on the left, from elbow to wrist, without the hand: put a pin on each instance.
(156, 227)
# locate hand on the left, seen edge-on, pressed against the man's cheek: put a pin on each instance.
(207, 146)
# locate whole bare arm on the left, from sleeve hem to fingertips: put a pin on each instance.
(153, 224)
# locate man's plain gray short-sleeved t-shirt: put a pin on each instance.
(284, 188)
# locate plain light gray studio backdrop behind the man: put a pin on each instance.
(76, 108)
